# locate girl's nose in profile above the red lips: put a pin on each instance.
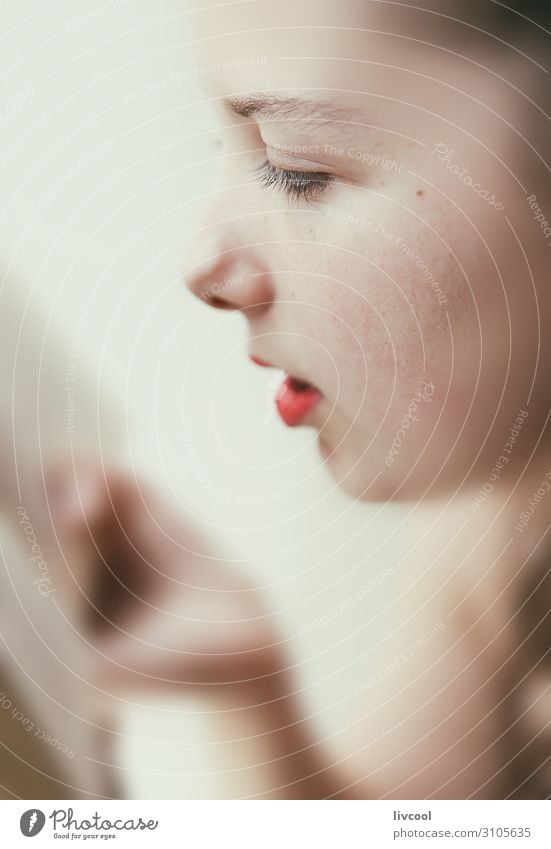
(229, 277)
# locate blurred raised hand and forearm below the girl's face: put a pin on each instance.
(161, 609)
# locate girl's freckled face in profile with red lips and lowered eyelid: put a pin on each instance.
(374, 228)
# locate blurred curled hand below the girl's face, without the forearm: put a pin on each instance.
(155, 600)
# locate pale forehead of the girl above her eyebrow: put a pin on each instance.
(343, 45)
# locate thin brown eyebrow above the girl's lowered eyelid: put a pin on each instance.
(287, 108)
